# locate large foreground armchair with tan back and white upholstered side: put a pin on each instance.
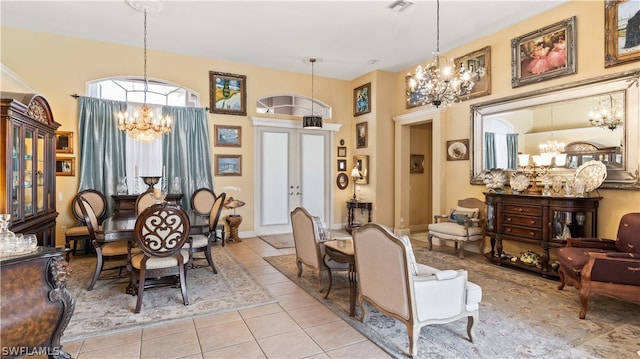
(416, 294)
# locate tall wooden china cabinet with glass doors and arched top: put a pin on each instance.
(28, 187)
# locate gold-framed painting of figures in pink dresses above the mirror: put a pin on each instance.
(544, 54)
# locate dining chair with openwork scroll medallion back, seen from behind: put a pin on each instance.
(161, 232)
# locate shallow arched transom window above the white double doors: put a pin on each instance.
(293, 105)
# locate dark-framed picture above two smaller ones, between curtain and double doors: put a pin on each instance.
(227, 93)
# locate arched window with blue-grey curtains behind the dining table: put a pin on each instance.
(111, 155)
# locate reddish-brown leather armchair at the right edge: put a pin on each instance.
(604, 266)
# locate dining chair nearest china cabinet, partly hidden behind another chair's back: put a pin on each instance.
(80, 232)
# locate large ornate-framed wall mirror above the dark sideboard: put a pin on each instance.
(553, 124)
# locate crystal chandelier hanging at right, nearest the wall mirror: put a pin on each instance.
(435, 85)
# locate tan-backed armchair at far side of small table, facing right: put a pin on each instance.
(308, 237)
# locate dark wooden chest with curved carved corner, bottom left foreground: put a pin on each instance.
(36, 306)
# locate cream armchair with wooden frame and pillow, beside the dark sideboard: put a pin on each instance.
(463, 224)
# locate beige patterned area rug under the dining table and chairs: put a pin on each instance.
(108, 309)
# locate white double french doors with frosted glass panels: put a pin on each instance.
(293, 169)
